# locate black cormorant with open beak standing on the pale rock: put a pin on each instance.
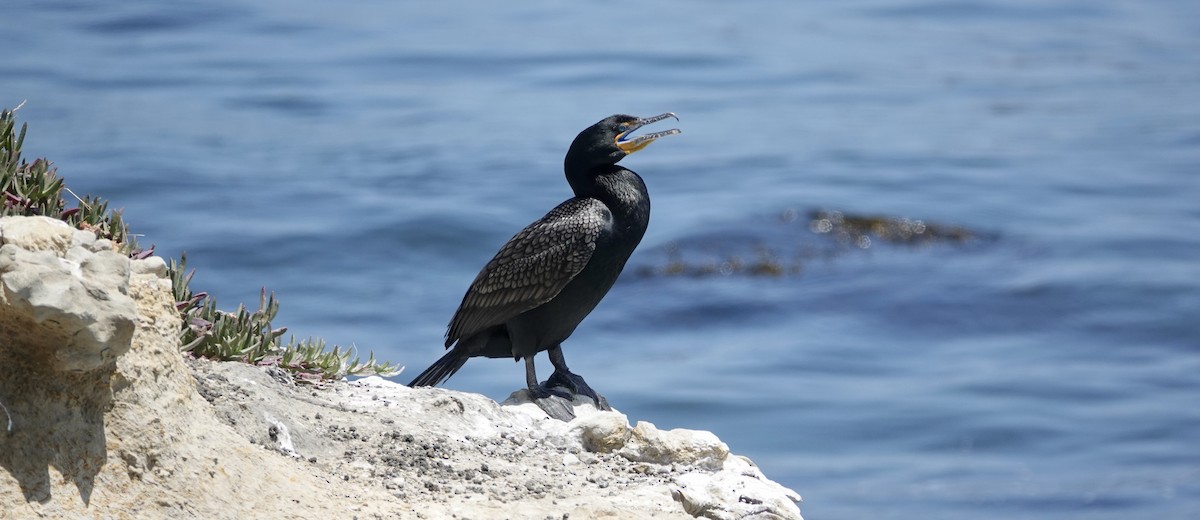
(538, 289)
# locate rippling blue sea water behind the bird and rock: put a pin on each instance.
(365, 160)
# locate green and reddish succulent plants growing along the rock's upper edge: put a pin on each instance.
(33, 189)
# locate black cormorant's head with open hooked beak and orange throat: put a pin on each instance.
(613, 139)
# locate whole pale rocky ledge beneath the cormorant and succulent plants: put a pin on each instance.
(110, 421)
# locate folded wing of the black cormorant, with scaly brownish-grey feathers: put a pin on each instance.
(532, 268)
